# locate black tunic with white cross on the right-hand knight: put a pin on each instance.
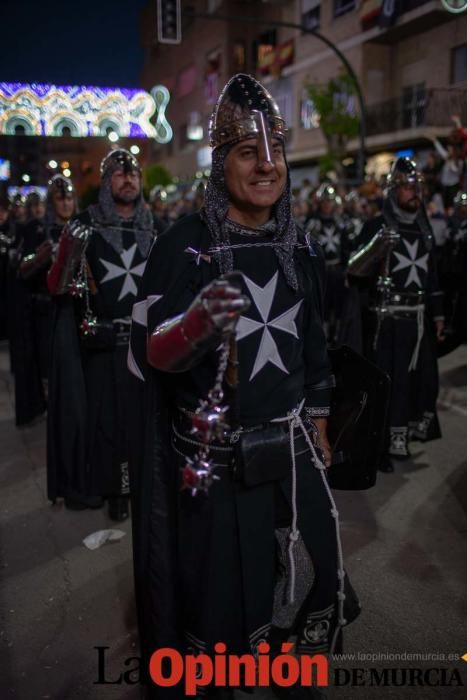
(413, 272)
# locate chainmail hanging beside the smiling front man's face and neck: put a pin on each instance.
(214, 213)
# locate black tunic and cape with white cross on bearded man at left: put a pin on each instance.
(87, 439)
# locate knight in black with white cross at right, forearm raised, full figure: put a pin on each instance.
(403, 315)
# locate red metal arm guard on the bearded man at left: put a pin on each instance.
(71, 247)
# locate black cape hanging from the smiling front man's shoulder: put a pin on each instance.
(153, 476)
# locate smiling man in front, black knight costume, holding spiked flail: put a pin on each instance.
(249, 548)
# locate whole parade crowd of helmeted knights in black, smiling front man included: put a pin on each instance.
(380, 268)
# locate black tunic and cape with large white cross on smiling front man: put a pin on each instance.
(205, 567)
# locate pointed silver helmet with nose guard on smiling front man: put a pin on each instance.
(245, 109)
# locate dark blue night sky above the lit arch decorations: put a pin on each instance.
(93, 42)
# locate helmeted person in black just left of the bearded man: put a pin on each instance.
(33, 304)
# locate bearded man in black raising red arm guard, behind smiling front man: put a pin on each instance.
(101, 259)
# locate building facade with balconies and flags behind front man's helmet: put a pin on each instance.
(410, 58)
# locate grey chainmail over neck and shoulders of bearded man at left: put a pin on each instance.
(109, 224)
